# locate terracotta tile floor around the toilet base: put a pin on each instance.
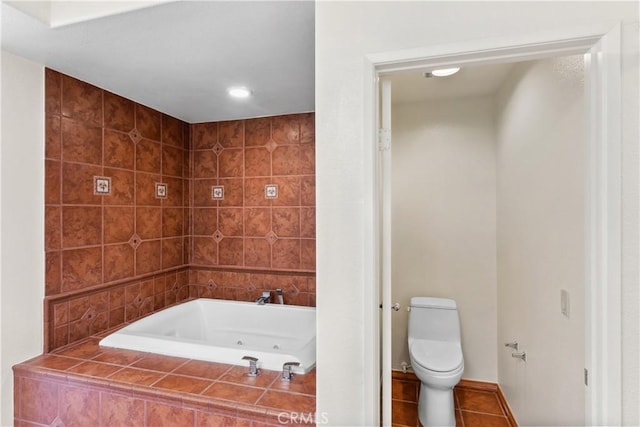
(474, 408)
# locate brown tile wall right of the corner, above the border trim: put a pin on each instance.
(246, 229)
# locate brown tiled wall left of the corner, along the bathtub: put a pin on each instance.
(115, 249)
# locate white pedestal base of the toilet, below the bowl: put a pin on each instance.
(435, 407)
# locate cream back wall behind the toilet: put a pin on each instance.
(444, 221)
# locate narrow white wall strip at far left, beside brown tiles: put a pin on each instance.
(21, 220)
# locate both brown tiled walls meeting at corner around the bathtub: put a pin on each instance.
(111, 258)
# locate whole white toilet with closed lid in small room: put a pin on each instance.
(436, 357)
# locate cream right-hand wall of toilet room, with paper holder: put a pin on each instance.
(541, 239)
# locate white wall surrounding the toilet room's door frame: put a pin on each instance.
(345, 33)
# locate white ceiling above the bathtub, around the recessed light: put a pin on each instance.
(180, 57)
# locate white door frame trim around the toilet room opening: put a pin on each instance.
(600, 256)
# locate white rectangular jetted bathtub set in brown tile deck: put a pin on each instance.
(225, 331)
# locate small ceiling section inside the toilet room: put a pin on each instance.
(412, 86)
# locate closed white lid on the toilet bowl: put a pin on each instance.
(439, 356)
